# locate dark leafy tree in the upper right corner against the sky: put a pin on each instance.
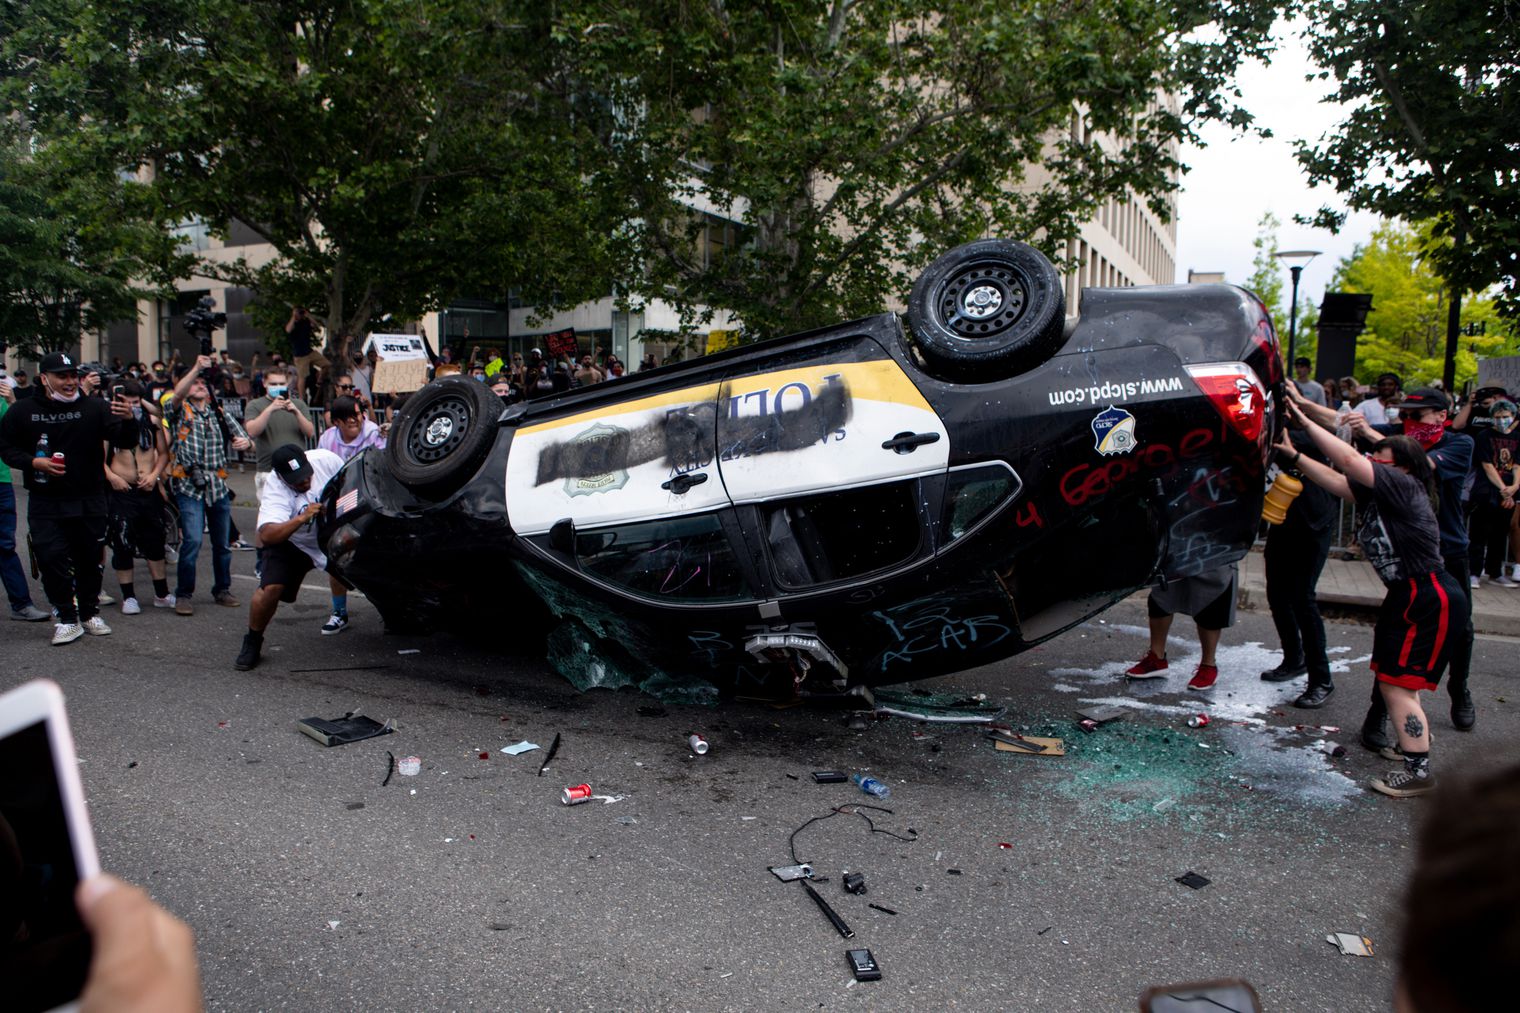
(1433, 97)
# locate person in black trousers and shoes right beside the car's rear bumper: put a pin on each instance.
(1296, 556)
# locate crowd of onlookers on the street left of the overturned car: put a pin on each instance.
(131, 462)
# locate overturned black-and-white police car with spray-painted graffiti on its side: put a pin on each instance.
(873, 503)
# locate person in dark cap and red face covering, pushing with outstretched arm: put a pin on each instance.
(1423, 414)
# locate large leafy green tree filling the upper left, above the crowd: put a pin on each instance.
(393, 154)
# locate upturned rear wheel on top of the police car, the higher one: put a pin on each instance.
(989, 311)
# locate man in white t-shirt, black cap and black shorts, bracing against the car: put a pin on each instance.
(288, 527)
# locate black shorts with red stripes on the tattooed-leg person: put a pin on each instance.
(1416, 627)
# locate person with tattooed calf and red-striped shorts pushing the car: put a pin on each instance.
(1425, 609)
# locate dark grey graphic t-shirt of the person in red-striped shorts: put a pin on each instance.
(1396, 526)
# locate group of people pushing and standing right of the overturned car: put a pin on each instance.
(1436, 504)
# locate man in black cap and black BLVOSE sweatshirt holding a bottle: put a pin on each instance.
(68, 504)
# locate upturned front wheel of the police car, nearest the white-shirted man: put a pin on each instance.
(443, 434)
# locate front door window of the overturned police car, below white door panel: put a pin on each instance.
(679, 559)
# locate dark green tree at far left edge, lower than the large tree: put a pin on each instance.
(78, 252)
